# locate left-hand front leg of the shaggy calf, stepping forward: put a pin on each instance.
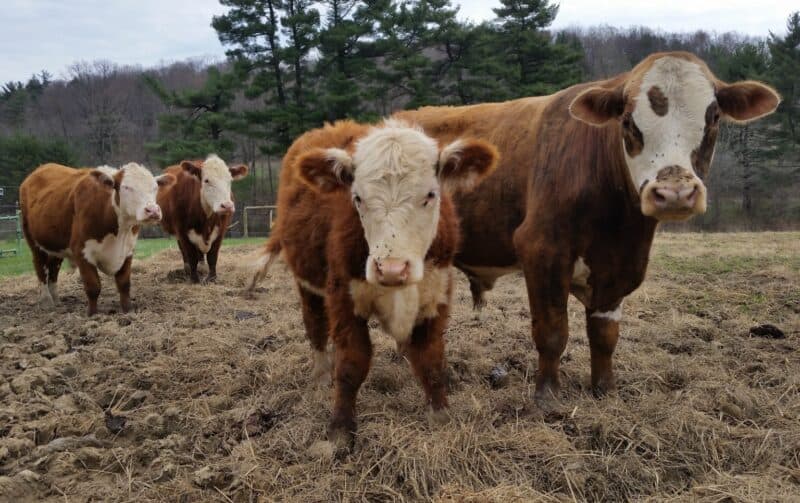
(352, 357)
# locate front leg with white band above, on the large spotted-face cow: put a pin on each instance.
(602, 329)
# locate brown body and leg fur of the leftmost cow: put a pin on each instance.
(62, 208)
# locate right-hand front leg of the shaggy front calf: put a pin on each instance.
(425, 351)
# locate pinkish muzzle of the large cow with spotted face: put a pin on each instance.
(675, 194)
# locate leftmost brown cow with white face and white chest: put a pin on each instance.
(90, 217)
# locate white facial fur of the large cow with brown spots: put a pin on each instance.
(670, 140)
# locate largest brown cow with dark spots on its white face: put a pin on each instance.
(585, 177)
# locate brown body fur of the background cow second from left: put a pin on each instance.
(183, 211)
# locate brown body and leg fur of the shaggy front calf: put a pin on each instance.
(322, 240)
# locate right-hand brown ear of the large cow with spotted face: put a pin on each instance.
(746, 101)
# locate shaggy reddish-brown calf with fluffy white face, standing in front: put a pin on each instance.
(365, 228)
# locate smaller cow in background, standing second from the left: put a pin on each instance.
(198, 208)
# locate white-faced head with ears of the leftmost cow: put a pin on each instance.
(135, 188)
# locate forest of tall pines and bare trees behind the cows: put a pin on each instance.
(293, 64)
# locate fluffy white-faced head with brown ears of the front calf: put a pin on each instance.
(395, 176)
